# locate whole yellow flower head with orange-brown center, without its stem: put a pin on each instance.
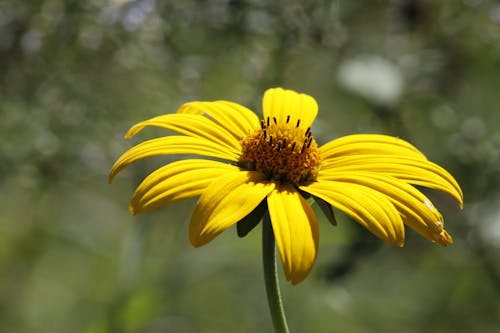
(275, 164)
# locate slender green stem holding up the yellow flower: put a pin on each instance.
(271, 277)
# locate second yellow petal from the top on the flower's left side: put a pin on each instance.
(191, 125)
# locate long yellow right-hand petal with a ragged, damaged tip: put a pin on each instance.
(416, 209)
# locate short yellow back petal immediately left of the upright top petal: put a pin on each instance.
(233, 117)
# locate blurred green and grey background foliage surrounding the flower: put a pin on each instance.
(76, 74)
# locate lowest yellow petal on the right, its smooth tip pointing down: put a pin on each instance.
(371, 209)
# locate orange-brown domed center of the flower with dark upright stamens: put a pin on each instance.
(283, 152)
